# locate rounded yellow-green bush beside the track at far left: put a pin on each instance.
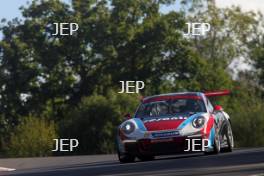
(32, 137)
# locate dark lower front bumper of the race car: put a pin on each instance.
(162, 146)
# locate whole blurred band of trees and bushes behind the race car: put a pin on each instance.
(66, 86)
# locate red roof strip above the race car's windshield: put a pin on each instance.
(160, 97)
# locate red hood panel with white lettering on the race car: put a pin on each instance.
(164, 123)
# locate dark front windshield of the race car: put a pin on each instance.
(170, 107)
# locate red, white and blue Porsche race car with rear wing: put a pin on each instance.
(175, 123)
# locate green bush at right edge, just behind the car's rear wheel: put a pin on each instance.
(246, 111)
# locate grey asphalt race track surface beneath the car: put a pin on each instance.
(240, 162)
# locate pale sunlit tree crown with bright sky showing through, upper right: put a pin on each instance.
(231, 32)
